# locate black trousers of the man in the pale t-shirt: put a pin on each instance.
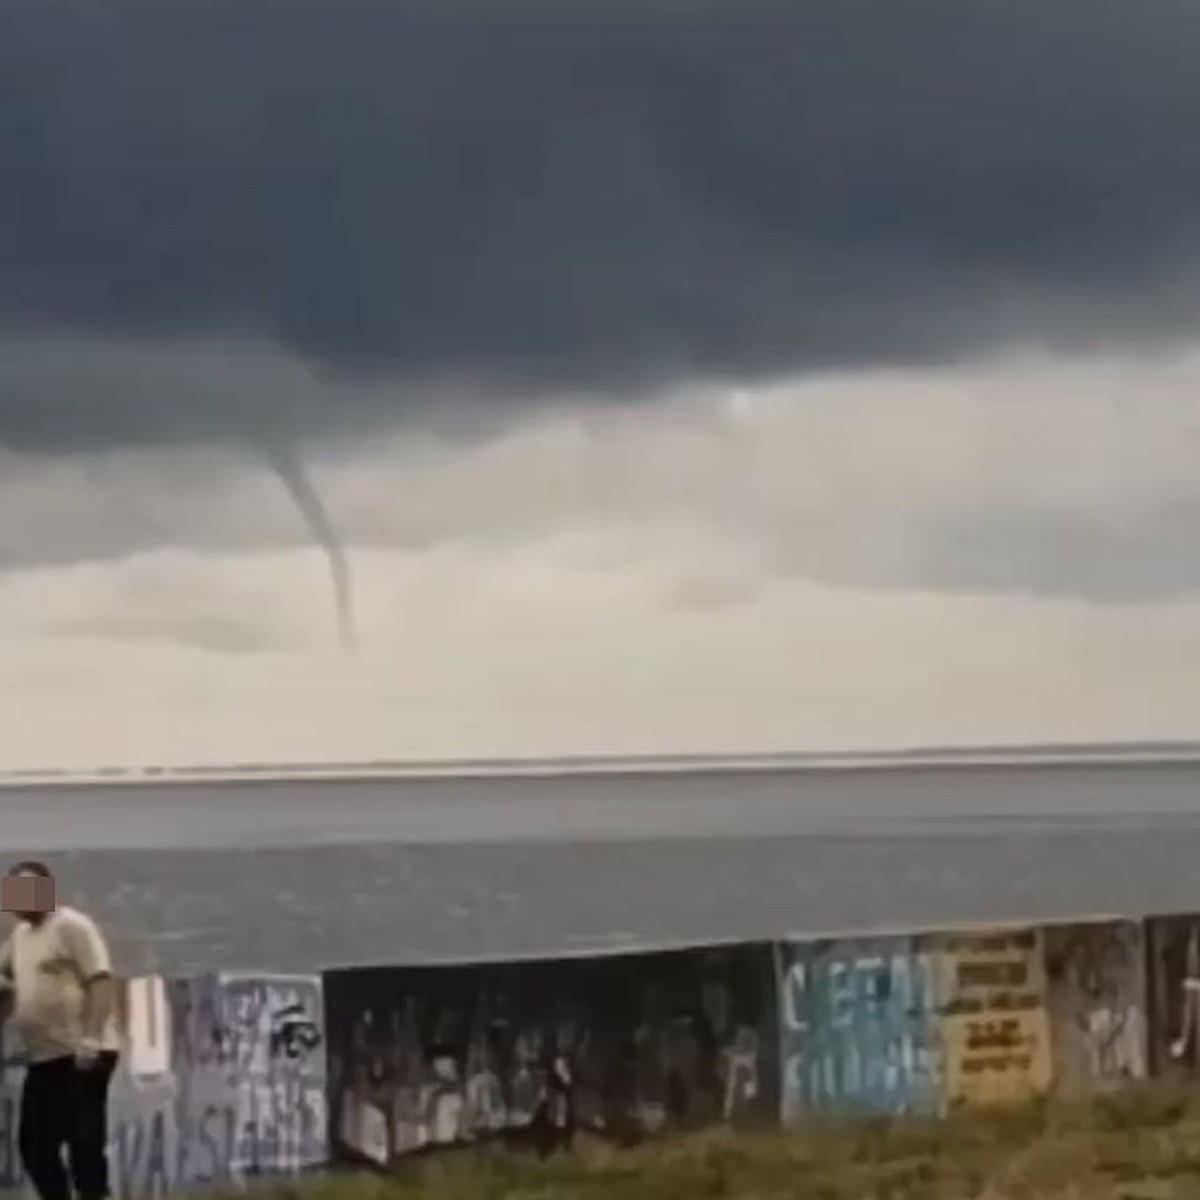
(64, 1106)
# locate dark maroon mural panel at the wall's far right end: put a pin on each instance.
(1173, 977)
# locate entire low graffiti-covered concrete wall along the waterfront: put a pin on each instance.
(230, 1077)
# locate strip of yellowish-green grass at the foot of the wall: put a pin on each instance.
(1142, 1145)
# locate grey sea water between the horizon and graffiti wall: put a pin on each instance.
(304, 875)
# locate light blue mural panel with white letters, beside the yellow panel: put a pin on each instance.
(859, 1028)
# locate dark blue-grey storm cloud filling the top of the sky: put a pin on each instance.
(583, 194)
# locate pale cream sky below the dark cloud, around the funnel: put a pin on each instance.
(988, 555)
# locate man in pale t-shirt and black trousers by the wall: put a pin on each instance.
(57, 969)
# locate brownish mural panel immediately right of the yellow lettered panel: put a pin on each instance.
(1096, 1000)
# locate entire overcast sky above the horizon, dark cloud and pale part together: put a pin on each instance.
(675, 377)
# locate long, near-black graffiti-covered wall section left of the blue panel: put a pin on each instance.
(623, 1047)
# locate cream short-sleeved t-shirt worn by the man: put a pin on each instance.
(50, 965)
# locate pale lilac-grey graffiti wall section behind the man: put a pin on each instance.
(221, 1078)
